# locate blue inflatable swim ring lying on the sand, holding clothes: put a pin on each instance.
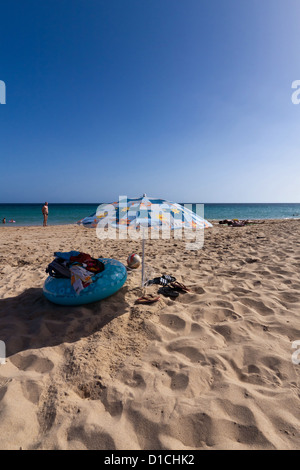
(105, 284)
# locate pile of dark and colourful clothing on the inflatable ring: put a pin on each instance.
(79, 267)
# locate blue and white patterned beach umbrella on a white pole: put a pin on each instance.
(136, 216)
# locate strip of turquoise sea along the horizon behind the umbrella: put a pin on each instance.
(60, 214)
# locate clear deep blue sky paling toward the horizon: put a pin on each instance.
(184, 100)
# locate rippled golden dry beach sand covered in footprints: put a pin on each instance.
(210, 370)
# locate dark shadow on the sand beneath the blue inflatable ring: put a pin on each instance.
(30, 321)
